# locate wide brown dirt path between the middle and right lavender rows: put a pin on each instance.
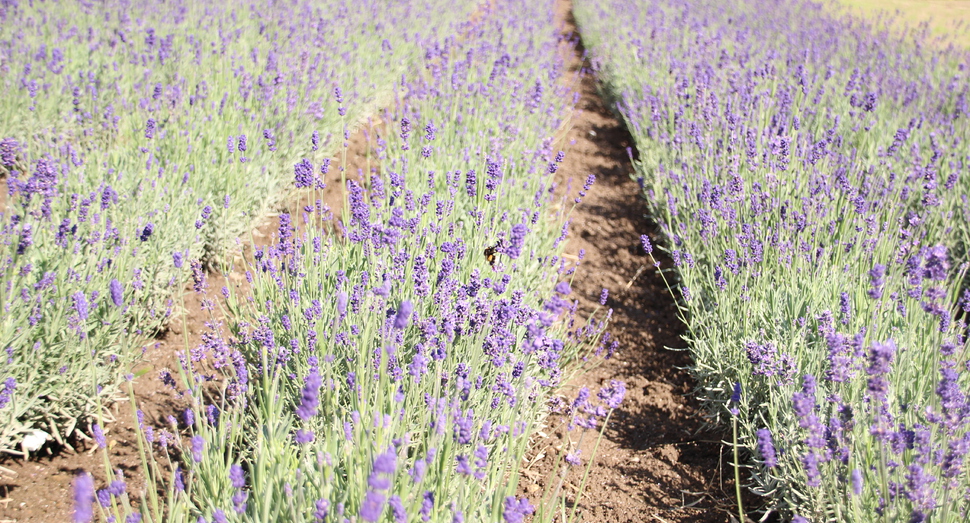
(653, 463)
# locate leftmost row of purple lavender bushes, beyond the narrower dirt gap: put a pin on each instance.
(135, 130)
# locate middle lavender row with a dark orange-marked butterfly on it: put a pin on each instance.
(381, 367)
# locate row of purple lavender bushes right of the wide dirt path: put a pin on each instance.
(809, 171)
